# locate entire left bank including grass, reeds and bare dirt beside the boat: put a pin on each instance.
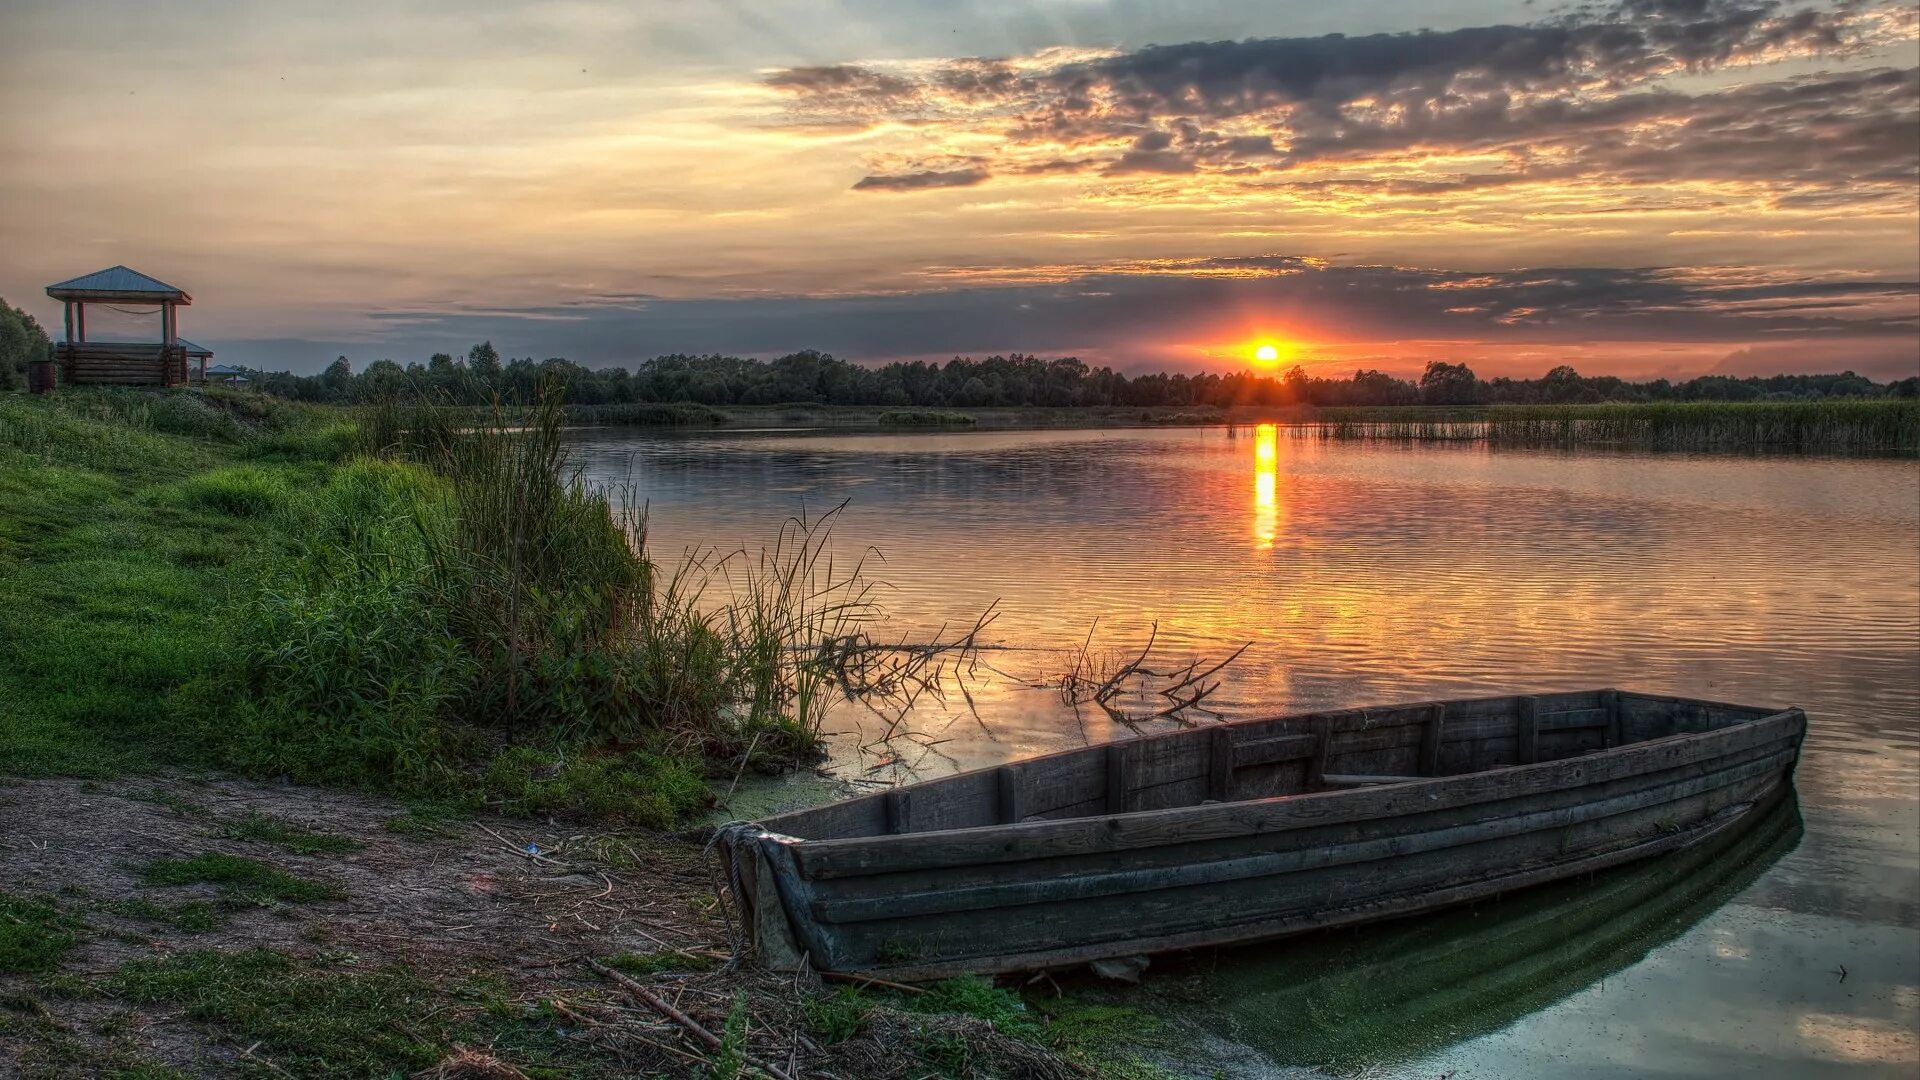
(400, 626)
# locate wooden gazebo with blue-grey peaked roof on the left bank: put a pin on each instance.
(122, 362)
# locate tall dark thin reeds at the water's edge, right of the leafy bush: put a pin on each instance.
(573, 629)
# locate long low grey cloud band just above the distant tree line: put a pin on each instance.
(1126, 314)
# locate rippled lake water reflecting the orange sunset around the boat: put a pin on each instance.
(1366, 574)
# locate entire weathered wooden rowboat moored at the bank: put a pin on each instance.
(1251, 831)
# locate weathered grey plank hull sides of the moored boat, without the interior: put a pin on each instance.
(1067, 891)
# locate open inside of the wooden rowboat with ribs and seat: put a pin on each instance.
(1272, 758)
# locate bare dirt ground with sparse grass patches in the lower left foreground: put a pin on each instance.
(160, 895)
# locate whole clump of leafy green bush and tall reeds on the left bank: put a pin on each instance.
(469, 618)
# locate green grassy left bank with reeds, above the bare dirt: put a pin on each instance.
(427, 604)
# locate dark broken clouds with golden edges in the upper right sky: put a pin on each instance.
(1612, 95)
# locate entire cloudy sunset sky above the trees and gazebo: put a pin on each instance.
(1643, 187)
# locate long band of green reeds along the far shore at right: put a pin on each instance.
(1819, 428)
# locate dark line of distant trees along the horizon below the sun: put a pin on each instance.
(1017, 380)
